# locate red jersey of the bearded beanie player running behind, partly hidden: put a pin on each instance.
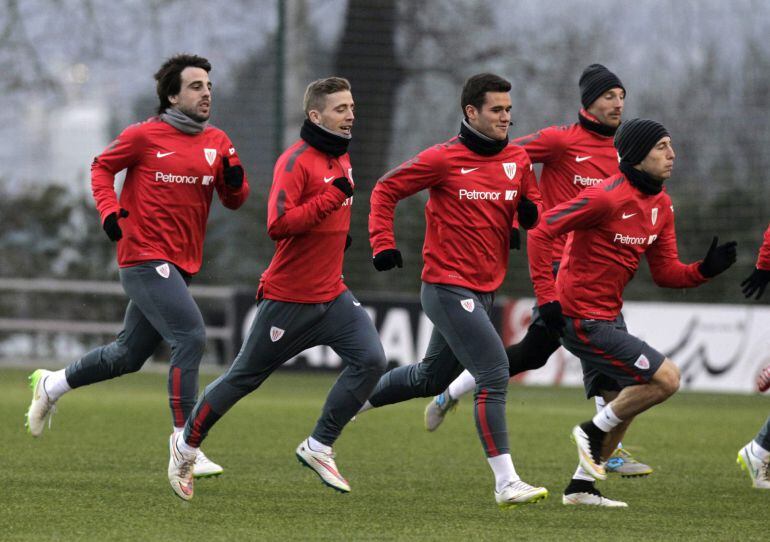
(573, 158)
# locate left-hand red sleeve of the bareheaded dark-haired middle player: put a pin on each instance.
(423, 171)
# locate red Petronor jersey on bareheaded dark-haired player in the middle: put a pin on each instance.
(469, 214)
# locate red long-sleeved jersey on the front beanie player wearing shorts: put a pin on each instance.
(612, 225)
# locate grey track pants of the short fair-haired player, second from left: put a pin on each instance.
(282, 330)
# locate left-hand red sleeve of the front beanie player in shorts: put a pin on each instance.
(583, 212)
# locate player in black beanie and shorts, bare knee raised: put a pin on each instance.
(612, 225)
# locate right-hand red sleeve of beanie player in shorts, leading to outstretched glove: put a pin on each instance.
(663, 259)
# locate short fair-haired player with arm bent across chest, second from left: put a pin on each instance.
(303, 301)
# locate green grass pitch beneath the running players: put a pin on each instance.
(100, 472)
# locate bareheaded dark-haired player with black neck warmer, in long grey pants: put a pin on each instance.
(477, 182)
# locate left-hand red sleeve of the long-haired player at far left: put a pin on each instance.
(124, 152)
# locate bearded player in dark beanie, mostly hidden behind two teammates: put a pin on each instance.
(574, 157)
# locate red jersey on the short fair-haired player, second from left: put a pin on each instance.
(308, 218)
